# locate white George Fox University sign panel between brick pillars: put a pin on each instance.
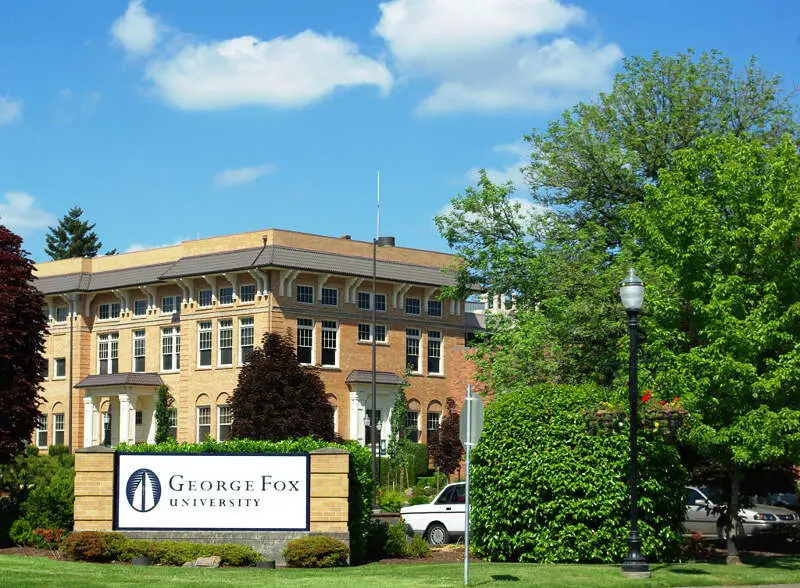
(251, 492)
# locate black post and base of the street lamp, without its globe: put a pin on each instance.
(634, 563)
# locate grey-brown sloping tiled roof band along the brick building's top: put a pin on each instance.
(258, 257)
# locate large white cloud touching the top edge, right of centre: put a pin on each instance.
(492, 55)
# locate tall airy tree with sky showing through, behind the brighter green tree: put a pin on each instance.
(561, 254)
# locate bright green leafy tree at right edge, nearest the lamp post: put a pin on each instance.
(720, 230)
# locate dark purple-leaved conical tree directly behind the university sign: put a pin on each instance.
(276, 398)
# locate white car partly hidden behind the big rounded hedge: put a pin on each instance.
(442, 519)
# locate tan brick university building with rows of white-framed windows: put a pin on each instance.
(188, 315)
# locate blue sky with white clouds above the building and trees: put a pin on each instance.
(165, 120)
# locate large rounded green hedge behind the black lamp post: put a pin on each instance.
(545, 490)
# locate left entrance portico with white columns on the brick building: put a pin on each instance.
(119, 408)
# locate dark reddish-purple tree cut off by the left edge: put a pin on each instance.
(22, 329)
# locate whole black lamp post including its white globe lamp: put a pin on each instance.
(631, 292)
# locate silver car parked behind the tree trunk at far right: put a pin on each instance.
(703, 516)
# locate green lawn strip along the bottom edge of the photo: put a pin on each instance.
(36, 571)
